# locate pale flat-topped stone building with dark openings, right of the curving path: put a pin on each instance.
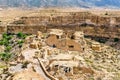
(63, 67)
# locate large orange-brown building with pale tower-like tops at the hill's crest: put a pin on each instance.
(55, 40)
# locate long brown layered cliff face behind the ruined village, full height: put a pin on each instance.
(90, 24)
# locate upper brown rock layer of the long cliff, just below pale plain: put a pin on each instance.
(66, 18)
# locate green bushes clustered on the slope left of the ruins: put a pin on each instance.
(8, 42)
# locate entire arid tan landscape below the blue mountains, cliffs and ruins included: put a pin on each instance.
(59, 44)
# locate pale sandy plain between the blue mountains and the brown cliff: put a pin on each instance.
(10, 14)
